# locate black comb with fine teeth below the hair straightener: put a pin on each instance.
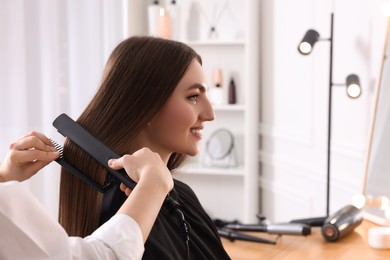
(64, 163)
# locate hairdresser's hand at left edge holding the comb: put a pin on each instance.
(26, 156)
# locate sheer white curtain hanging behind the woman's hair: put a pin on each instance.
(51, 58)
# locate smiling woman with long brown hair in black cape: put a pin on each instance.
(153, 94)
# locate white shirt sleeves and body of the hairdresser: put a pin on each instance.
(28, 231)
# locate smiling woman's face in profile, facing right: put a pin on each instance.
(177, 128)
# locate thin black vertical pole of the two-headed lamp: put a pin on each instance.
(329, 115)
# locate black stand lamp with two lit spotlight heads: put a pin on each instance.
(352, 83)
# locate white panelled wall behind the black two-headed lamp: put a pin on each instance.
(294, 103)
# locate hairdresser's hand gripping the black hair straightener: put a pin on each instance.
(146, 168)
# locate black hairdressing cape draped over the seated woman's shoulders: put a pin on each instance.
(166, 239)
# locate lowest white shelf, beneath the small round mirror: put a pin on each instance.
(196, 169)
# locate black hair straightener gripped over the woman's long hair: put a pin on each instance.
(90, 144)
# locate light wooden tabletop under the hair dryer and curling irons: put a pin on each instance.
(353, 246)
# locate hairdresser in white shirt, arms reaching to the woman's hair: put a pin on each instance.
(28, 231)
